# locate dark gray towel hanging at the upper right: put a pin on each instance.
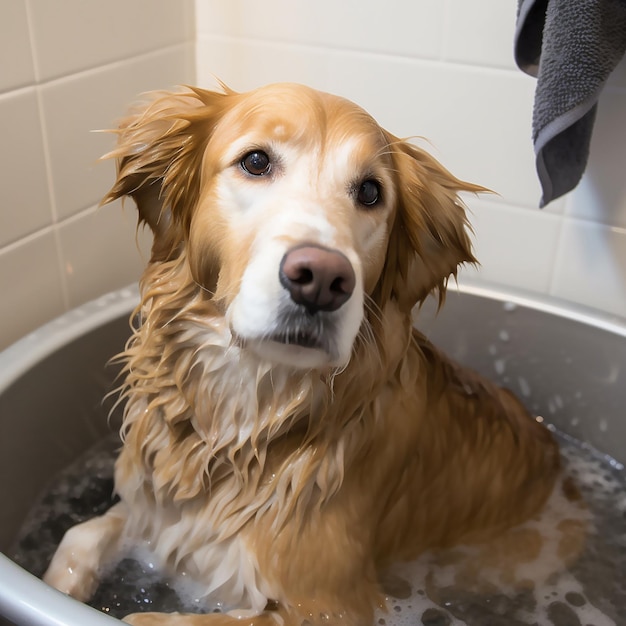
(571, 46)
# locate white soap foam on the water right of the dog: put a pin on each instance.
(430, 580)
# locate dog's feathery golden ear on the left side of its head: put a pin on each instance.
(159, 154)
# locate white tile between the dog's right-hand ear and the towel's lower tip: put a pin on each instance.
(515, 247)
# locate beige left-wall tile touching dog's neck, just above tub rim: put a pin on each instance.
(101, 250)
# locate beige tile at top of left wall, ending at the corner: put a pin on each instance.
(72, 35)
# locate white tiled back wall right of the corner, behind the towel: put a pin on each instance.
(444, 69)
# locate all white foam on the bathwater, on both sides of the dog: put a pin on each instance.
(434, 580)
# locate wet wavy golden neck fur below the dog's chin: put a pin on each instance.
(197, 398)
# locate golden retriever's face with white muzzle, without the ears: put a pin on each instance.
(296, 214)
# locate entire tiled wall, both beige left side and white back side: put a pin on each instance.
(442, 69)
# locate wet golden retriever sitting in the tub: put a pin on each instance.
(287, 433)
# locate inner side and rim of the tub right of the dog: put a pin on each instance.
(567, 364)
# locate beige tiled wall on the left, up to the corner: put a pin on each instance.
(68, 67)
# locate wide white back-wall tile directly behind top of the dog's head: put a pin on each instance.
(478, 120)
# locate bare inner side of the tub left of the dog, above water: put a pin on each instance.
(55, 410)
